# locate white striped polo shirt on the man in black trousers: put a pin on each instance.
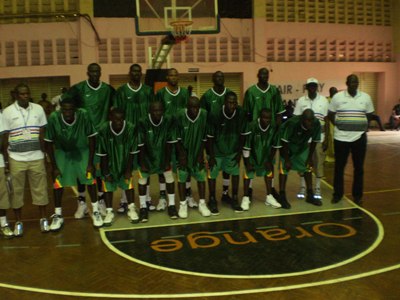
(351, 115)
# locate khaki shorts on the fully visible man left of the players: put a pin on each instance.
(37, 177)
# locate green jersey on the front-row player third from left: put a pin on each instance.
(154, 138)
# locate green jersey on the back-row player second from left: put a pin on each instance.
(135, 103)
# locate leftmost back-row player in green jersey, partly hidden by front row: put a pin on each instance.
(95, 96)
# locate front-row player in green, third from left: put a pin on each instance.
(157, 138)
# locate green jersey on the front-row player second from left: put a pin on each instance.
(117, 146)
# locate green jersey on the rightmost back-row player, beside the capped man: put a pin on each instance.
(256, 99)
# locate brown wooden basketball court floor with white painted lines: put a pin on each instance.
(78, 263)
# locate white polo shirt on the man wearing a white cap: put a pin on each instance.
(319, 106)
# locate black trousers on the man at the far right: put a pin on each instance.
(358, 150)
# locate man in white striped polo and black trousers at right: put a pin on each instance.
(349, 111)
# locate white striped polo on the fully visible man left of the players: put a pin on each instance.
(23, 126)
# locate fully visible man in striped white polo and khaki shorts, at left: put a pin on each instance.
(24, 124)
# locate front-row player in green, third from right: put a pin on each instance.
(225, 141)
